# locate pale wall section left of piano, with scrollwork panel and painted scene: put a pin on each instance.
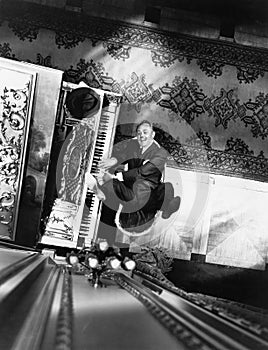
(31, 168)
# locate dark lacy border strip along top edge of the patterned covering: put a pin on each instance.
(26, 20)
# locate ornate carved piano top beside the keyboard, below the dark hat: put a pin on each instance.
(73, 160)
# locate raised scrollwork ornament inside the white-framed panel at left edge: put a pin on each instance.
(12, 124)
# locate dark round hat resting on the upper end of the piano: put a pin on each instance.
(82, 102)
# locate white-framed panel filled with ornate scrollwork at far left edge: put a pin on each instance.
(17, 85)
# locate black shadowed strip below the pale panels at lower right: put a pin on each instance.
(241, 285)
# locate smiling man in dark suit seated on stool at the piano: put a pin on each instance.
(133, 179)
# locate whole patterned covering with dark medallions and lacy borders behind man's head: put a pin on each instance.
(207, 98)
